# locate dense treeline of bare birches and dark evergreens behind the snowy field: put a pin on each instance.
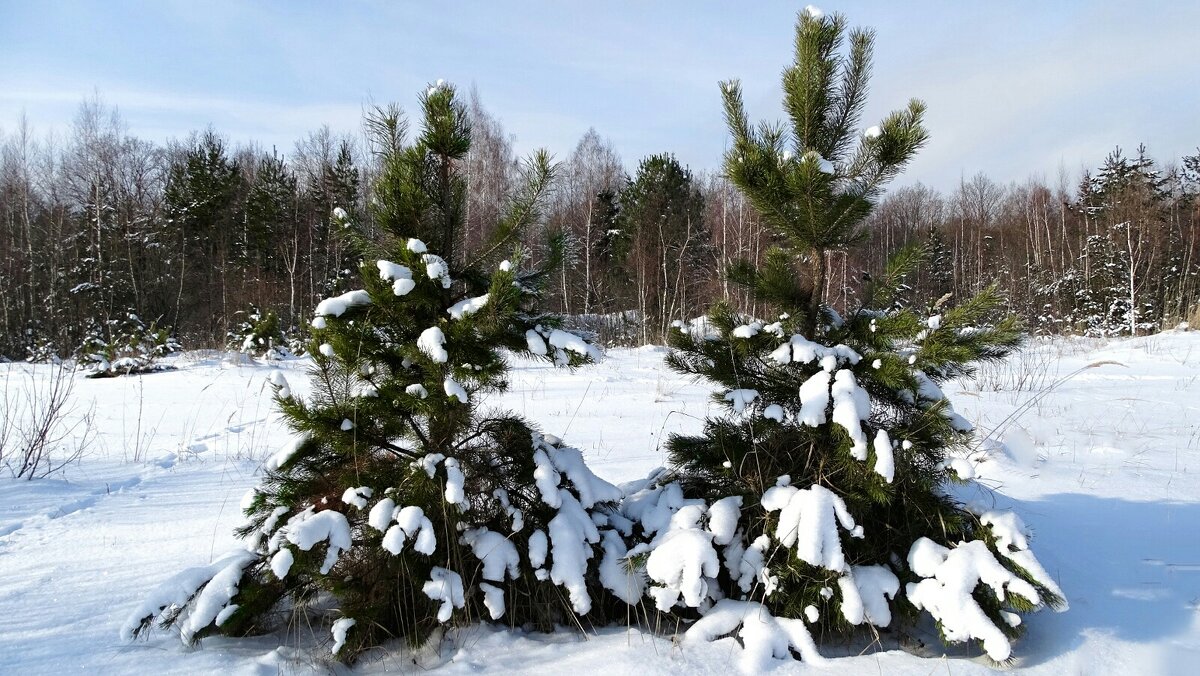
(199, 235)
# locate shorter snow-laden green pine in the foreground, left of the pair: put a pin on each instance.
(404, 506)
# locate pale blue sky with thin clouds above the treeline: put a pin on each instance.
(1013, 88)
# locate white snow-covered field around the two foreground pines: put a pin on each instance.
(1105, 468)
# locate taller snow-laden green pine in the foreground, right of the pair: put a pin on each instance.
(825, 490)
